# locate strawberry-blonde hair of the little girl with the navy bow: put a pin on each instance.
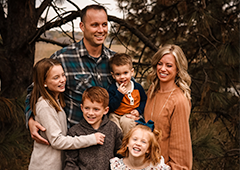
(154, 154)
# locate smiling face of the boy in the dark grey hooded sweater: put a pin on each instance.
(93, 112)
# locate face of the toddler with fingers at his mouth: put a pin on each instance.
(122, 74)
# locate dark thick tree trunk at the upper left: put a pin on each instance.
(16, 71)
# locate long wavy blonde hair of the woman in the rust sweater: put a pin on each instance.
(182, 80)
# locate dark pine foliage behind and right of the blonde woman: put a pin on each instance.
(208, 32)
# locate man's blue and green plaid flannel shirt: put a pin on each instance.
(82, 71)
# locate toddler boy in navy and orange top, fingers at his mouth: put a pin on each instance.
(127, 97)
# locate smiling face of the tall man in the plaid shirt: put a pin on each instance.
(95, 27)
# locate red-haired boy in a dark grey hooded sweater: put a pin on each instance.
(94, 107)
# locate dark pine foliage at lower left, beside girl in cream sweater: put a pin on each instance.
(15, 141)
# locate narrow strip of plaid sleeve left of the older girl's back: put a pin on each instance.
(28, 112)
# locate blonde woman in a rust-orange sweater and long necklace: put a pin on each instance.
(169, 105)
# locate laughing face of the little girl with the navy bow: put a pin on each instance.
(138, 144)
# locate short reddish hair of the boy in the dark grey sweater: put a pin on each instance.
(96, 94)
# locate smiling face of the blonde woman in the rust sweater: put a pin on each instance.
(167, 69)
